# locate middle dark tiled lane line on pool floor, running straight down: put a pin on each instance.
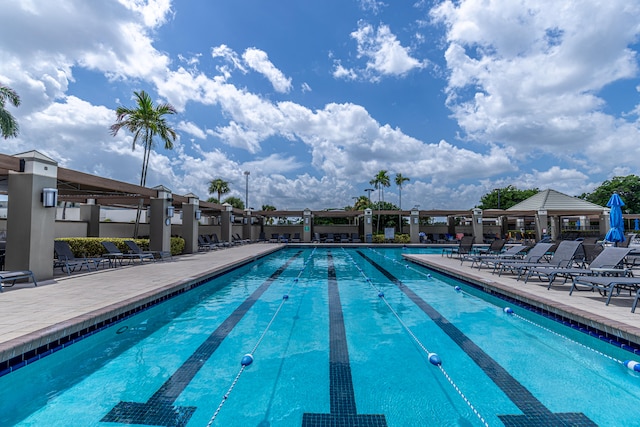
(341, 395)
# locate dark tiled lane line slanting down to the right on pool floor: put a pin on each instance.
(534, 412)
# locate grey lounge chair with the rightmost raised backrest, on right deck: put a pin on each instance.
(610, 261)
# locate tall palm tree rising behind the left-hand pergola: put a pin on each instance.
(145, 122)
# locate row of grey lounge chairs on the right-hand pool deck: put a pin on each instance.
(588, 266)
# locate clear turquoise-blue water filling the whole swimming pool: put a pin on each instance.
(339, 337)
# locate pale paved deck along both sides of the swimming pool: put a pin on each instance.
(35, 319)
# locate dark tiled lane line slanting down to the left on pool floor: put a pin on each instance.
(159, 409)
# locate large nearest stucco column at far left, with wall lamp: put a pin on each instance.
(30, 225)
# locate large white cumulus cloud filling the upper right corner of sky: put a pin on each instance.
(528, 74)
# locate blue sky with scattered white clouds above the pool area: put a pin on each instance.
(313, 98)
